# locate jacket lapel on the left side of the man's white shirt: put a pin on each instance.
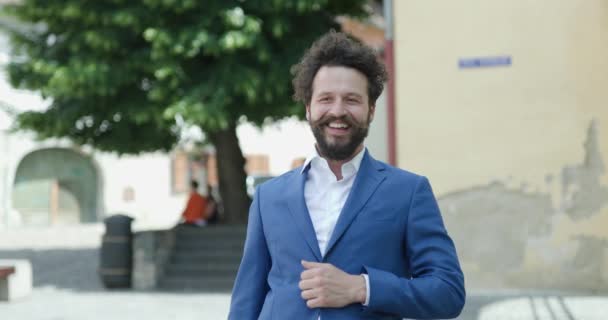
(297, 206)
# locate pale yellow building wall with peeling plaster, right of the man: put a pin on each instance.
(516, 155)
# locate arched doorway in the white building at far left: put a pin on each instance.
(55, 186)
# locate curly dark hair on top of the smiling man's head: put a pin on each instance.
(337, 49)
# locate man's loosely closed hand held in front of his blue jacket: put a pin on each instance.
(324, 285)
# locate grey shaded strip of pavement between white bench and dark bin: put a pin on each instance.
(62, 268)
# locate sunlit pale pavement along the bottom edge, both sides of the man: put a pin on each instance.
(50, 303)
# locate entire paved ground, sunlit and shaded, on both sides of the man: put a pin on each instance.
(67, 287)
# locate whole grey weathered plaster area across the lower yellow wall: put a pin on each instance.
(505, 237)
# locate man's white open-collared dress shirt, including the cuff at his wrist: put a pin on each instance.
(325, 197)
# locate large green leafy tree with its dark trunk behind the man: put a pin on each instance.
(119, 73)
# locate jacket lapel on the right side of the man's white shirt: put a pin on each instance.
(368, 179)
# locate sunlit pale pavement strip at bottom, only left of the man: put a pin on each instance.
(60, 304)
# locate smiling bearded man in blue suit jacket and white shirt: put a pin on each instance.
(345, 236)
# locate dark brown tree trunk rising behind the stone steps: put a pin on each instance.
(231, 174)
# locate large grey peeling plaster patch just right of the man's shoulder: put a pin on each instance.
(491, 223)
